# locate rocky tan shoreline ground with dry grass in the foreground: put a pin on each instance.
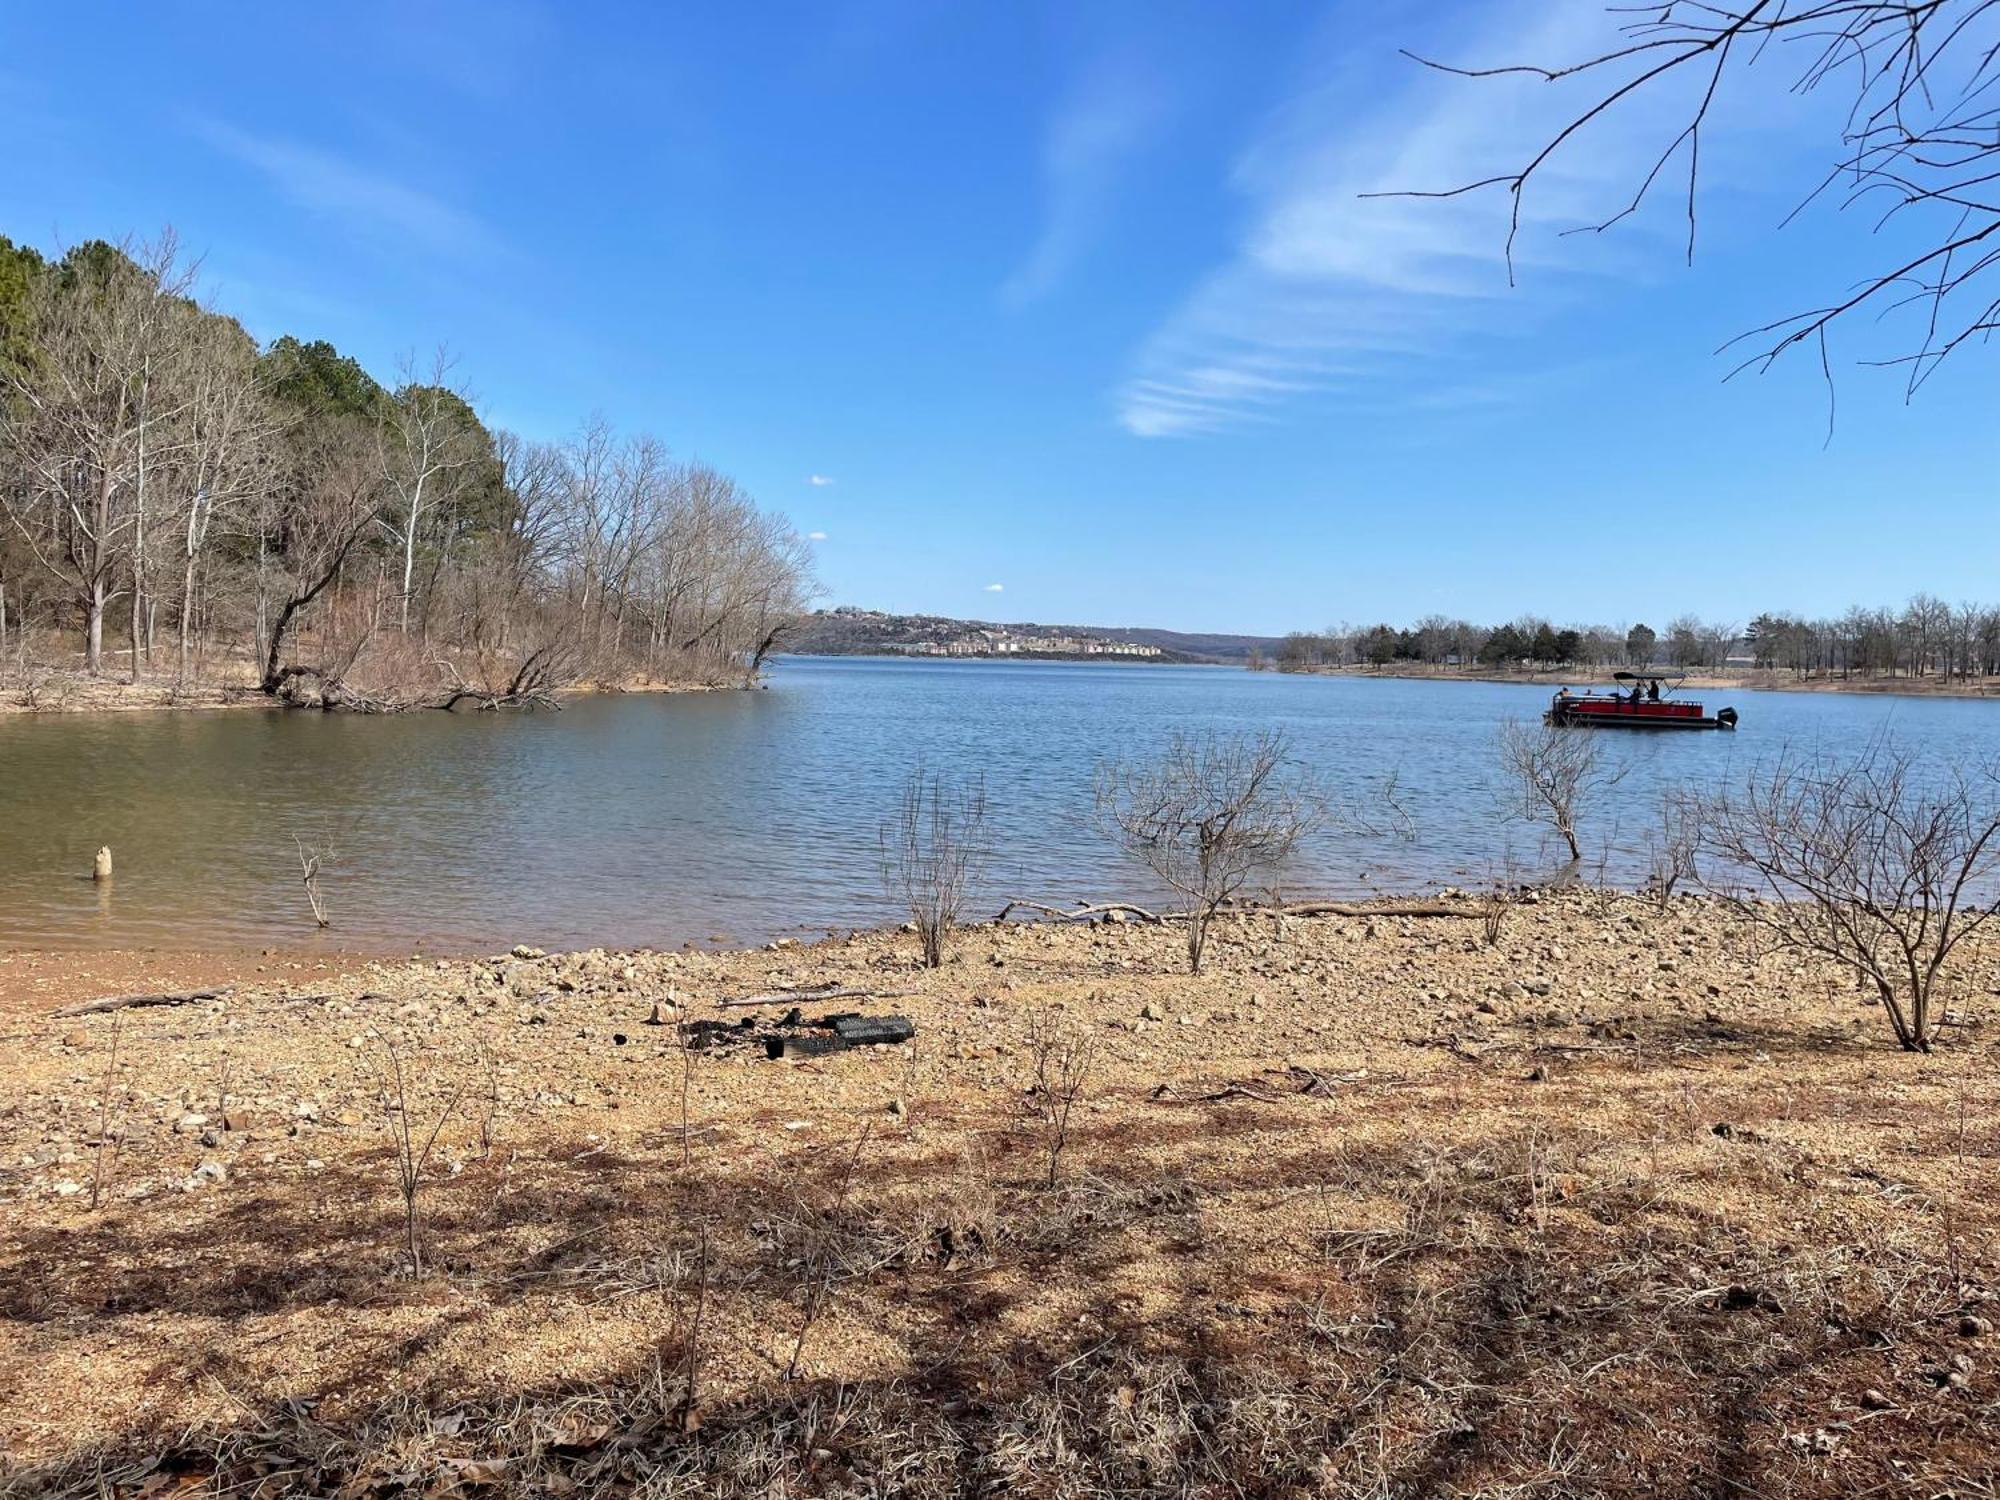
(1613, 1207)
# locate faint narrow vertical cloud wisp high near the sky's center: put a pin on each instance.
(1107, 119)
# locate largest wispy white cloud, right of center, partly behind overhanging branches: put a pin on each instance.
(1329, 287)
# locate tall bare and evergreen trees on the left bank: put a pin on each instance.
(197, 505)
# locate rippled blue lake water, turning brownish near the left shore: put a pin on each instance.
(655, 821)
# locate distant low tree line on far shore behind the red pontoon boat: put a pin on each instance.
(1923, 639)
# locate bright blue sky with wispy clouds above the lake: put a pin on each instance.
(1079, 301)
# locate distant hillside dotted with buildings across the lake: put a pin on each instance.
(863, 633)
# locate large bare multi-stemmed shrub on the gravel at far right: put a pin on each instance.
(1875, 863)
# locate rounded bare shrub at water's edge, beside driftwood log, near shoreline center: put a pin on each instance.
(1209, 817)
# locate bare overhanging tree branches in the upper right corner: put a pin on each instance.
(1917, 141)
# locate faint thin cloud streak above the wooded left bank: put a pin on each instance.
(361, 197)
